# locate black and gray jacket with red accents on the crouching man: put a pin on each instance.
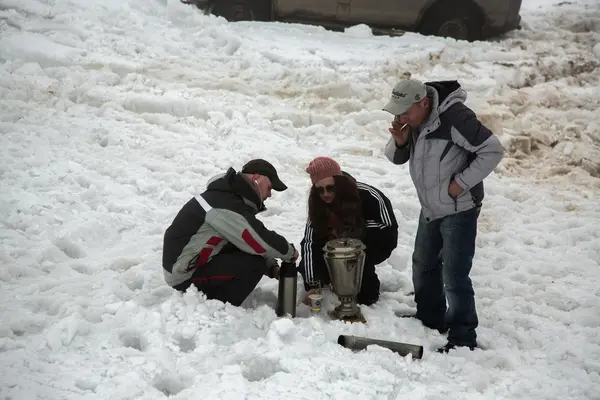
(221, 217)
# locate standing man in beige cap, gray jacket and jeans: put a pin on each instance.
(450, 153)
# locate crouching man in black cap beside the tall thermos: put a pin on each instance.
(216, 242)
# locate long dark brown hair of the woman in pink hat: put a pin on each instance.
(342, 218)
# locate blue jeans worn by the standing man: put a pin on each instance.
(442, 260)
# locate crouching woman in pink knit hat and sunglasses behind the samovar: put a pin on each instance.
(339, 206)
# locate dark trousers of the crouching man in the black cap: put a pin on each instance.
(229, 277)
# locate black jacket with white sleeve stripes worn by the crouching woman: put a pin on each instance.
(380, 238)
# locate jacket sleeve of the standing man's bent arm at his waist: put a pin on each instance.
(470, 134)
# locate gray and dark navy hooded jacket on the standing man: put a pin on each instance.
(451, 144)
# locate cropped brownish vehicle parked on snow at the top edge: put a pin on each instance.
(460, 19)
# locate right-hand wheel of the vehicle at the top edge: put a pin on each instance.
(458, 20)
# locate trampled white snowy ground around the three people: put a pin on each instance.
(115, 112)
